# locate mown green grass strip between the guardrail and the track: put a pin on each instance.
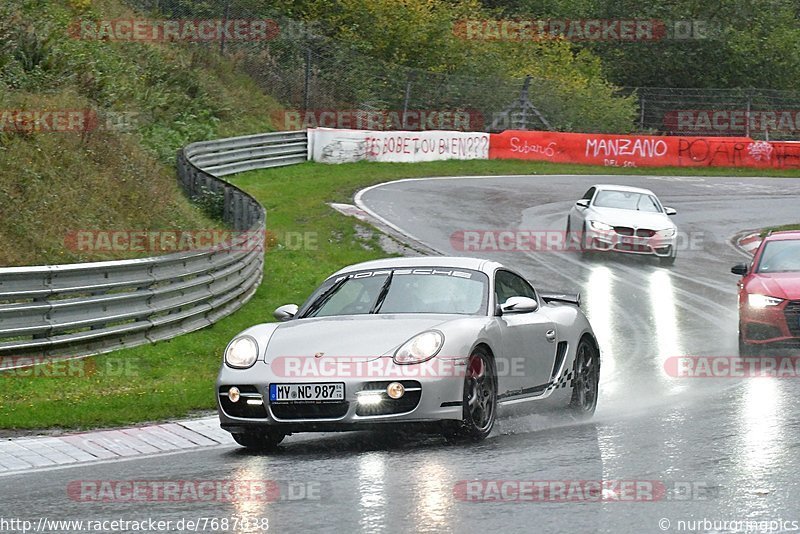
(175, 378)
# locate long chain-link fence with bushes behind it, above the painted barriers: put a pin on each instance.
(327, 82)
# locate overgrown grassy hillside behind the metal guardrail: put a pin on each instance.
(139, 103)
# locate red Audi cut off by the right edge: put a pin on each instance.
(769, 294)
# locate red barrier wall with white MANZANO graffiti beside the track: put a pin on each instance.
(644, 150)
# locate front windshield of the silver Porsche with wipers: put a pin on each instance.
(412, 290)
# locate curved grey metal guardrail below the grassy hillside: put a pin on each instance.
(67, 311)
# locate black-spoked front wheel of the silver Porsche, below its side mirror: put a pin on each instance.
(479, 402)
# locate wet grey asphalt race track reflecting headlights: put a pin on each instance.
(734, 442)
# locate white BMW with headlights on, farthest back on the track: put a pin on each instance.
(623, 219)
